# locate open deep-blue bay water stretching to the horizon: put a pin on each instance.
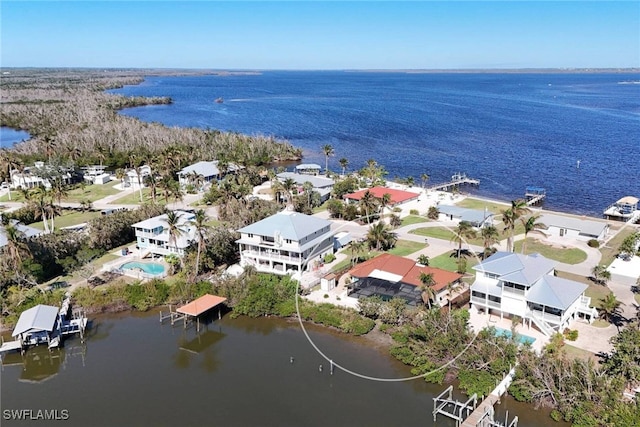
(508, 130)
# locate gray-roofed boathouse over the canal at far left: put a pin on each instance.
(37, 325)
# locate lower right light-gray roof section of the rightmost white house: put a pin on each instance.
(555, 292)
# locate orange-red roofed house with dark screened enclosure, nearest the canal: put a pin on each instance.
(391, 276)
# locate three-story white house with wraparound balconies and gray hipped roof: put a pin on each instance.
(285, 243)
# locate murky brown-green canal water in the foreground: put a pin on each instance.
(133, 371)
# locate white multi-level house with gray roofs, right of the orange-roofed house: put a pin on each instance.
(511, 284)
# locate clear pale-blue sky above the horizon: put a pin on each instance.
(320, 35)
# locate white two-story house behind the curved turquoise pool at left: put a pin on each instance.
(152, 235)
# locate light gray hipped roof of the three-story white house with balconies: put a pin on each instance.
(290, 225)
